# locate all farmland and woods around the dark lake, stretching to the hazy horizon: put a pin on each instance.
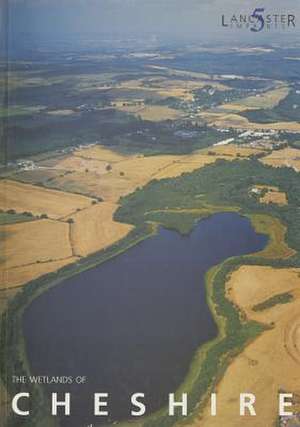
(105, 147)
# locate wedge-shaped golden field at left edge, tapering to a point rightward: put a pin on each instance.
(37, 200)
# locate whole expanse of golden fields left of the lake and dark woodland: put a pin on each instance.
(77, 200)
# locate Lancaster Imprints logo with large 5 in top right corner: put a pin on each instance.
(260, 20)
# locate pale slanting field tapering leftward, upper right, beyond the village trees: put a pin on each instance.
(269, 99)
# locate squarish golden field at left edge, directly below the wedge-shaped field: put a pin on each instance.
(35, 241)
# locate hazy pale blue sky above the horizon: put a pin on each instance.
(171, 18)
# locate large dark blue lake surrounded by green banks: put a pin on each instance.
(133, 323)
